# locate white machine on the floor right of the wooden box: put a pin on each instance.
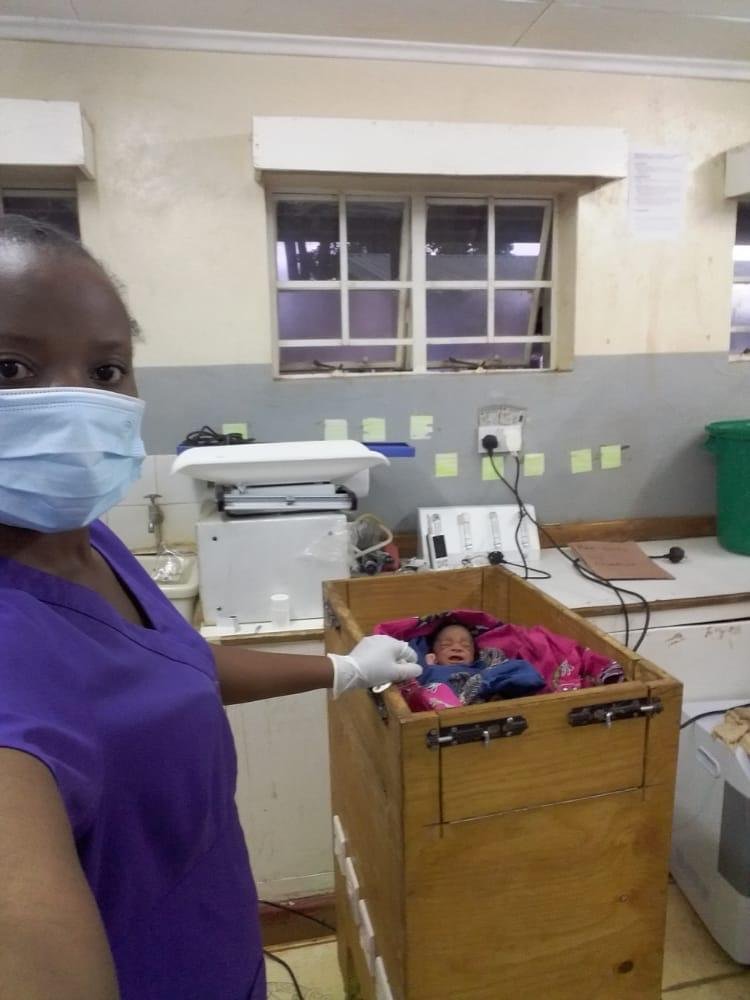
(711, 833)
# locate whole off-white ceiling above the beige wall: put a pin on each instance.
(691, 29)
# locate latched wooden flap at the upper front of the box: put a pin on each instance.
(551, 762)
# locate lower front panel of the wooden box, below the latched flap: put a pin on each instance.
(561, 903)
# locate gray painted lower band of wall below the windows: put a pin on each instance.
(657, 405)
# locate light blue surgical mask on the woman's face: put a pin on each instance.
(66, 455)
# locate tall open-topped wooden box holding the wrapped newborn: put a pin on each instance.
(530, 867)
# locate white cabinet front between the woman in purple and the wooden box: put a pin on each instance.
(283, 787)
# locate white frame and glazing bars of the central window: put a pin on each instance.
(417, 285)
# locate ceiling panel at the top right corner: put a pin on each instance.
(586, 30)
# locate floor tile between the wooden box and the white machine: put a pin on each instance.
(690, 953)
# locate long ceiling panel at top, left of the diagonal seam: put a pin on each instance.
(489, 22)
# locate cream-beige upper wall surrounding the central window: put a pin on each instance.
(178, 214)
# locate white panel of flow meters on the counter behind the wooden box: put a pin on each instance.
(460, 536)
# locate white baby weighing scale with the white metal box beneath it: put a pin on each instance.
(278, 524)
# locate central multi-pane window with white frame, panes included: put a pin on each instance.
(411, 283)
